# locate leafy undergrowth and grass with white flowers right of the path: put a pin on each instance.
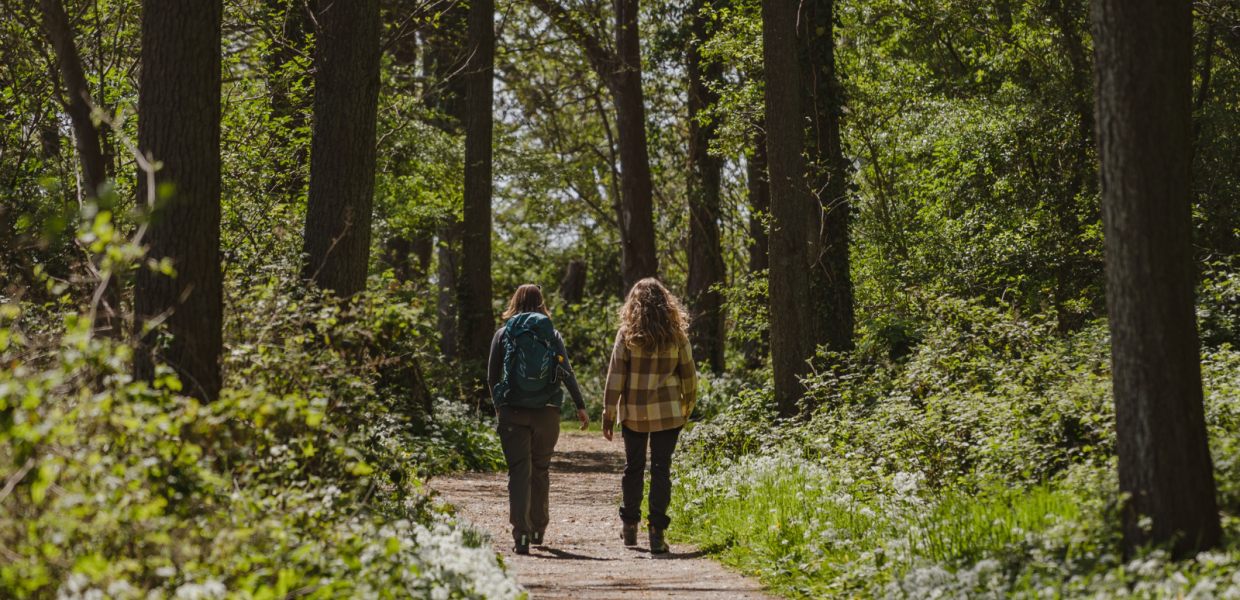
(978, 464)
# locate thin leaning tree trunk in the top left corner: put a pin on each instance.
(79, 95)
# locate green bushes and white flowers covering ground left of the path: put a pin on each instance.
(306, 478)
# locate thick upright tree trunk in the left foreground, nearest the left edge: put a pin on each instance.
(179, 126)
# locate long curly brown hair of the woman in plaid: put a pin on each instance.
(652, 319)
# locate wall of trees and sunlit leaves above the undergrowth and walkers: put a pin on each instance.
(826, 164)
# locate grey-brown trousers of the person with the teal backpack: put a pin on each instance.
(529, 438)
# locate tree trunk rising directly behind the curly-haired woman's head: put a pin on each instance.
(639, 255)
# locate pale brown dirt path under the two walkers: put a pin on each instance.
(583, 557)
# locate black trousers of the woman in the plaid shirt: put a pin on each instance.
(662, 444)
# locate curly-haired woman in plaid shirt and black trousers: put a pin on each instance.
(652, 389)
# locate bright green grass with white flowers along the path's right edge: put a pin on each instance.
(803, 534)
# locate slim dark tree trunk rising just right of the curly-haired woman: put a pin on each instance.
(705, 252)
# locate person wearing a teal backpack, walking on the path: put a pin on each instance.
(528, 365)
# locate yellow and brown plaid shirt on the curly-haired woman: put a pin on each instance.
(650, 391)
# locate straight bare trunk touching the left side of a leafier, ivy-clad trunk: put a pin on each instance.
(794, 209)
